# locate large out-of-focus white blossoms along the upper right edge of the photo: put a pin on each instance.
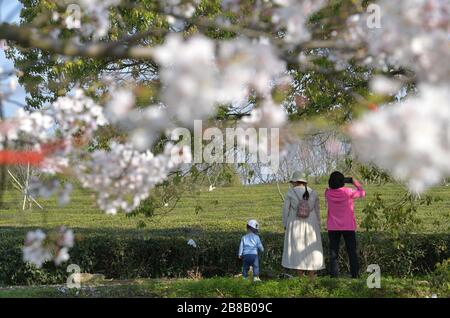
(409, 138)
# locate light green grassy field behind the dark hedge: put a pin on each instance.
(224, 209)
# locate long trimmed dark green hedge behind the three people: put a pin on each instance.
(122, 257)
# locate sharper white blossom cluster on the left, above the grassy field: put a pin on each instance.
(122, 176)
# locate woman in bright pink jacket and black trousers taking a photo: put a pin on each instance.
(341, 220)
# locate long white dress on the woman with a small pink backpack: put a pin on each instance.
(302, 241)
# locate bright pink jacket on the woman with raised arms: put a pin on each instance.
(341, 214)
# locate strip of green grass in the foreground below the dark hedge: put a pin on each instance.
(226, 287)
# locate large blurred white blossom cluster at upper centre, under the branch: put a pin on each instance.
(195, 82)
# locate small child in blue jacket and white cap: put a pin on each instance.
(248, 250)
